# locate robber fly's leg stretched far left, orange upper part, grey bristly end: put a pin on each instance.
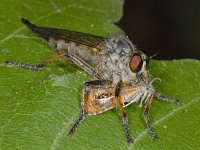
(35, 67)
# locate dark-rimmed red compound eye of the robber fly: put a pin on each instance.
(136, 62)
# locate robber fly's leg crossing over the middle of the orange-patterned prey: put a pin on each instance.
(124, 116)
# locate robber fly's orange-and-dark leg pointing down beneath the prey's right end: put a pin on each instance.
(146, 118)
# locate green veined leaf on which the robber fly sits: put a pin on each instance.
(37, 108)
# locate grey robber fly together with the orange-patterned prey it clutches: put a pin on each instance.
(118, 70)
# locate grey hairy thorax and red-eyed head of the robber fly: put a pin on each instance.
(122, 60)
